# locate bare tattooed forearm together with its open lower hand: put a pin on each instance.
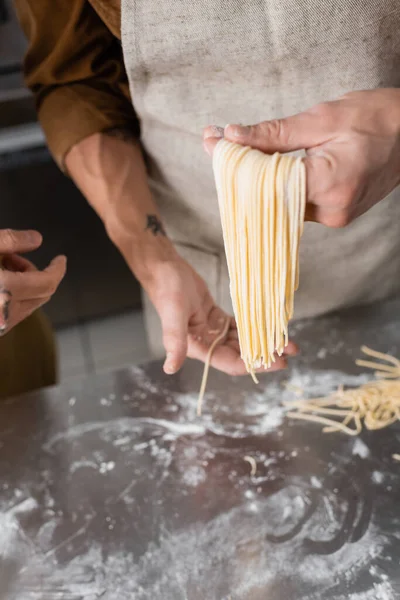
(111, 173)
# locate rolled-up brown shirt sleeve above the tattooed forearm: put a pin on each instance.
(74, 67)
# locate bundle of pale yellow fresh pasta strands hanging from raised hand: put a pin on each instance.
(261, 200)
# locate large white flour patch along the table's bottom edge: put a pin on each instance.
(183, 564)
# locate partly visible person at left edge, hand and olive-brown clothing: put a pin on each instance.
(28, 358)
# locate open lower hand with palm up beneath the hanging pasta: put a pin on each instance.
(191, 320)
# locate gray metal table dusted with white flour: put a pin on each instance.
(112, 488)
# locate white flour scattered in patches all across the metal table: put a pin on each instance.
(233, 551)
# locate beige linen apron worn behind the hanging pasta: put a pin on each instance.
(195, 63)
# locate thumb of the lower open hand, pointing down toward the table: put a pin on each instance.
(174, 323)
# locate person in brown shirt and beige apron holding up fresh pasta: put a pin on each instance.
(124, 90)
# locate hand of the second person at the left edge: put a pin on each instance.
(23, 288)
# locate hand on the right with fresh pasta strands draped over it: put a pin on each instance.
(353, 151)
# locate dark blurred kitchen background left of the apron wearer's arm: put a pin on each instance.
(97, 309)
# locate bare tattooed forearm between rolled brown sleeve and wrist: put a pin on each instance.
(109, 170)
